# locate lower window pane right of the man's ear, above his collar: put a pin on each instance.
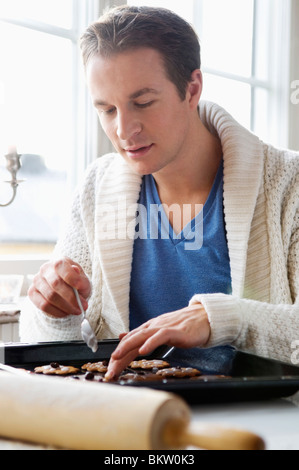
(229, 94)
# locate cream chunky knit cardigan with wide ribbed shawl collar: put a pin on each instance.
(261, 208)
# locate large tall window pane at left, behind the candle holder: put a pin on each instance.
(35, 115)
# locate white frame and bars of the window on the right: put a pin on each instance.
(278, 84)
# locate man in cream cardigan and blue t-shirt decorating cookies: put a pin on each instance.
(238, 281)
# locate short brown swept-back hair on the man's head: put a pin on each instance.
(128, 27)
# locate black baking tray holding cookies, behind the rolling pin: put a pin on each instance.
(250, 377)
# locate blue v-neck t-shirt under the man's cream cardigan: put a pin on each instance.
(168, 269)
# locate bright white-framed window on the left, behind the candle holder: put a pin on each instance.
(45, 112)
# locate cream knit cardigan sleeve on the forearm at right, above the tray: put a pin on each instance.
(264, 329)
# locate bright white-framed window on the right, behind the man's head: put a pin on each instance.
(245, 59)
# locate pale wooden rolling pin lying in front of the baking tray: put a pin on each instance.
(81, 415)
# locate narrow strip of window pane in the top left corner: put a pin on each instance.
(56, 12)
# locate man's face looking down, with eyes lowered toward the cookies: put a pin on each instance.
(140, 109)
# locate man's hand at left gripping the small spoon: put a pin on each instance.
(52, 288)
